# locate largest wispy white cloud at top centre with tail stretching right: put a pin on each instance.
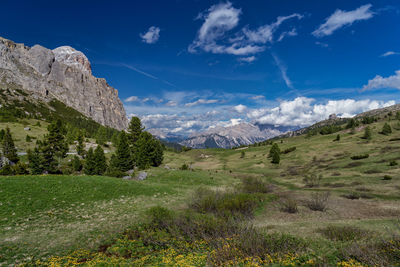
(219, 20)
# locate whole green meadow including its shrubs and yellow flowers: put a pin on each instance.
(317, 207)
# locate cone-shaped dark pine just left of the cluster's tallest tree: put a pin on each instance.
(123, 159)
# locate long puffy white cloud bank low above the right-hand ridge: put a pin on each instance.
(301, 111)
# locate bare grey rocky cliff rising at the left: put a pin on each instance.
(64, 74)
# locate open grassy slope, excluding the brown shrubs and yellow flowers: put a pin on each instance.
(56, 214)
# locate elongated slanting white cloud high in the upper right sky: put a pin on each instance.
(342, 18)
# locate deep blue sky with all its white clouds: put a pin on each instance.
(186, 66)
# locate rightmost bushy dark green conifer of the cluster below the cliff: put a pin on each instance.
(149, 151)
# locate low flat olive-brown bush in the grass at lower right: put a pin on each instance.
(343, 233)
